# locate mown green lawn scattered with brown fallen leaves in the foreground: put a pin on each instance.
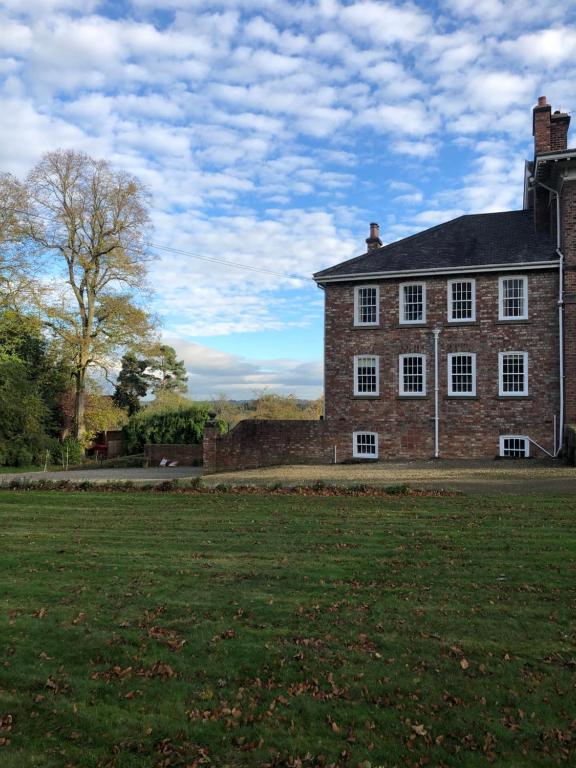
(242, 630)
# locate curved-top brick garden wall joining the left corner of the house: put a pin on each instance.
(260, 443)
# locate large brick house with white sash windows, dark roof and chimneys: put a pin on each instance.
(460, 341)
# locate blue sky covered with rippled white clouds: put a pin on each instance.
(271, 132)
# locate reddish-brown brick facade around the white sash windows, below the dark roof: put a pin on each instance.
(469, 428)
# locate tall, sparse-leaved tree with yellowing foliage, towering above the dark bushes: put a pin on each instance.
(90, 223)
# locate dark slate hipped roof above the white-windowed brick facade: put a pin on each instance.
(486, 239)
